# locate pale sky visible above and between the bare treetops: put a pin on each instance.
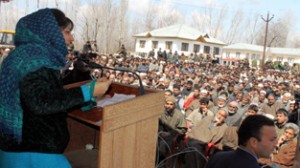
(277, 8)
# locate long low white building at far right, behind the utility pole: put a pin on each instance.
(238, 51)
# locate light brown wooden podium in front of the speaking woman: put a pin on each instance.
(125, 132)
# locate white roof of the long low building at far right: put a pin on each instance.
(258, 48)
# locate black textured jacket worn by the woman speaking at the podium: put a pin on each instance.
(45, 103)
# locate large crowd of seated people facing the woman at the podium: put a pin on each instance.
(207, 102)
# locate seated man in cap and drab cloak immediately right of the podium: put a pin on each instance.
(171, 126)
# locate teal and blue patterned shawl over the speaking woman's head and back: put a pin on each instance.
(39, 43)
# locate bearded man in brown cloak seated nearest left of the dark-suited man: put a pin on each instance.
(209, 130)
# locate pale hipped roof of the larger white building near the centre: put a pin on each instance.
(179, 31)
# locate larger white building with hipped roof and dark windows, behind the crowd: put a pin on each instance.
(180, 38)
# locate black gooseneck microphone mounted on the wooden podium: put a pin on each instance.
(94, 65)
